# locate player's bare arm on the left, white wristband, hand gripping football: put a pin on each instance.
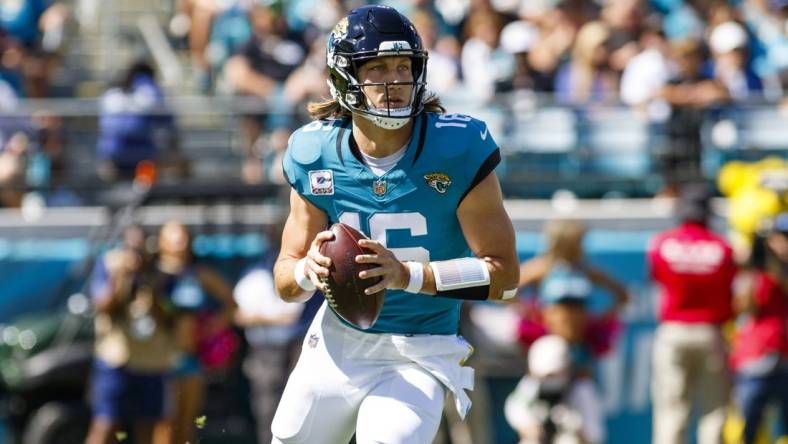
(300, 263)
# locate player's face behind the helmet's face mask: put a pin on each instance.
(387, 74)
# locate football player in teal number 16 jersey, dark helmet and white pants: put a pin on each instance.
(382, 157)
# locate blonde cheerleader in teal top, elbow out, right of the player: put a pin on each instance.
(564, 282)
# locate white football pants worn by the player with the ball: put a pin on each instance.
(347, 381)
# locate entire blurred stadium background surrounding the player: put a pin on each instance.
(141, 197)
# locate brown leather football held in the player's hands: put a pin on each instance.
(345, 292)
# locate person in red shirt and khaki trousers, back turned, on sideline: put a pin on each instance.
(694, 269)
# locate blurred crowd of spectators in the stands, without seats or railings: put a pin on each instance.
(675, 62)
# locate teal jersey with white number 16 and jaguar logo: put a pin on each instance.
(411, 209)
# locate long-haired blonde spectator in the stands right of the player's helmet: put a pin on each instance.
(587, 76)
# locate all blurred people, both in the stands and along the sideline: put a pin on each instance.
(671, 61)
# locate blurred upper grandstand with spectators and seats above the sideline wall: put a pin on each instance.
(634, 95)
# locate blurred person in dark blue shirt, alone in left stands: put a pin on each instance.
(134, 124)
